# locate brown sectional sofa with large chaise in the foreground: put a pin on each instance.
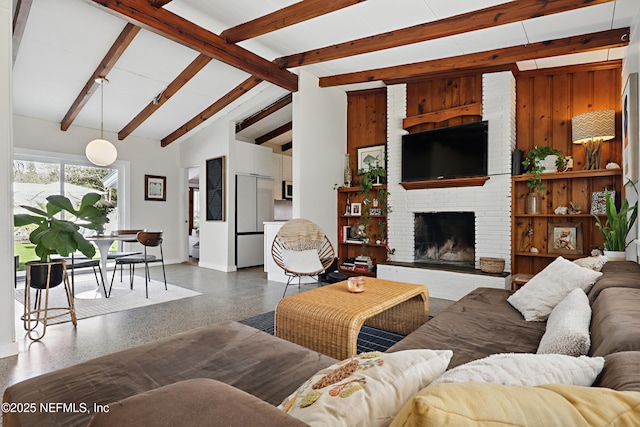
(231, 374)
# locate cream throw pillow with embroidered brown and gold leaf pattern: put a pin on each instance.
(367, 390)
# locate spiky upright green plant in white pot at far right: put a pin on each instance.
(616, 227)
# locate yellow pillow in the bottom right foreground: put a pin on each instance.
(491, 405)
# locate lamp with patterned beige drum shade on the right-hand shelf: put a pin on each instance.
(591, 129)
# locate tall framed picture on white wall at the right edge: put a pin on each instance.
(630, 128)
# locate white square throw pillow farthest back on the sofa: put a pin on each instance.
(545, 290)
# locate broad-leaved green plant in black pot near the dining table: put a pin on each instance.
(57, 236)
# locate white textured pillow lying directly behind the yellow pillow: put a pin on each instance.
(527, 369)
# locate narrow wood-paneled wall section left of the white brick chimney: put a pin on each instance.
(366, 122)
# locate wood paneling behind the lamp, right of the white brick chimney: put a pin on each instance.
(548, 99)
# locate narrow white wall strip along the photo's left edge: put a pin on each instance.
(8, 344)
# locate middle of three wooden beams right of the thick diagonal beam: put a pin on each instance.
(513, 11)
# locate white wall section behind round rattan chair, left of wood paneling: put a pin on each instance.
(320, 142)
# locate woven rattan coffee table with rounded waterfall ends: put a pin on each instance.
(328, 319)
